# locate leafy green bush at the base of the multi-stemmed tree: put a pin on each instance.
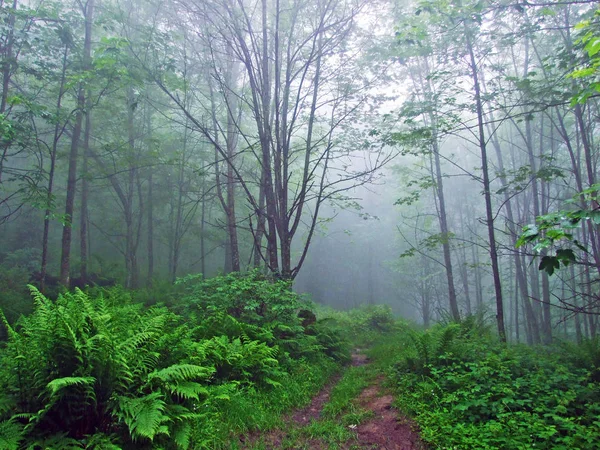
(256, 308)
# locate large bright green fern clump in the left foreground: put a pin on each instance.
(93, 370)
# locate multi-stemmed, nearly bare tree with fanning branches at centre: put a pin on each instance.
(291, 56)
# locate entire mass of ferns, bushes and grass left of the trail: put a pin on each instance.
(100, 371)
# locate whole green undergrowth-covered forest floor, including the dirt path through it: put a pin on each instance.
(241, 362)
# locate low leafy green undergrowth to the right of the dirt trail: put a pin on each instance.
(467, 390)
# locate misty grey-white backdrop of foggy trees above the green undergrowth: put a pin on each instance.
(369, 152)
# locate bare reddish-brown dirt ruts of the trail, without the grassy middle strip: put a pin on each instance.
(384, 428)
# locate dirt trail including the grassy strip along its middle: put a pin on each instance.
(353, 411)
